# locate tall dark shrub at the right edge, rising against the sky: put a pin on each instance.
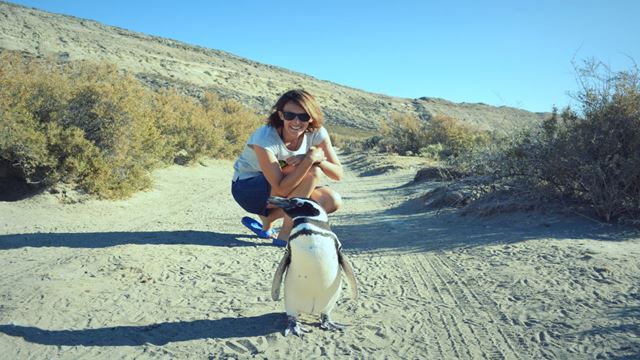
(595, 155)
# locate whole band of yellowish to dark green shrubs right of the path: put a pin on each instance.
(586, 157)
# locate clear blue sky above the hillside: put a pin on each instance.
(512, 53)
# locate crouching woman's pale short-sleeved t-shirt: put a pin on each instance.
(267, 137)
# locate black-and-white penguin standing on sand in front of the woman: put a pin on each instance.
(312, 262)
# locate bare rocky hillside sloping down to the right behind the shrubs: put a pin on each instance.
(161, 62)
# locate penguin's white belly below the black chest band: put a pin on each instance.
(312, 283)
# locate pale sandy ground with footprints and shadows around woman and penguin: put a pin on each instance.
(171, 273)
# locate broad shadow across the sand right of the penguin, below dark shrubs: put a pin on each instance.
(448, 230)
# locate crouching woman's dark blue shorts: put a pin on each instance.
(252, 194)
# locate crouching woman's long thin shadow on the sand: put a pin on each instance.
(107, 239)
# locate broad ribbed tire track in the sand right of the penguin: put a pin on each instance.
(466, 318)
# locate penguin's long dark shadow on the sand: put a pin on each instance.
(157, 334)
